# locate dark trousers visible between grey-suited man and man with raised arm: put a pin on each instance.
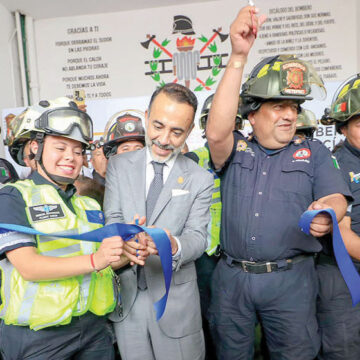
(205, 266)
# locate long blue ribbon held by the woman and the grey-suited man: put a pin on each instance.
(126, 231)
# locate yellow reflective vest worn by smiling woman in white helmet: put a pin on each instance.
(48, 303)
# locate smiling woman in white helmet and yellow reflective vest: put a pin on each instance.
(79, 270)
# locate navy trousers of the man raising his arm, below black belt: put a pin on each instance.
(283, 301)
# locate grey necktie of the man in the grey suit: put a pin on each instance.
(153, 194)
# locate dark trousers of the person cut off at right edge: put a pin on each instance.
(339, 321)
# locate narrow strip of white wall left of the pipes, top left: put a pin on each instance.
(9, 74)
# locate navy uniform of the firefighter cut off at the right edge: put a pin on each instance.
(339, 321)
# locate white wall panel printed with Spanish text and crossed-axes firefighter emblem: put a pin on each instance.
(115, 45)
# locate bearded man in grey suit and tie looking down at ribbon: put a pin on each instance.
(171, 192)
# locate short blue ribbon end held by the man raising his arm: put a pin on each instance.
(343, 259)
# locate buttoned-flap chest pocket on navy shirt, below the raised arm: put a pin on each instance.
(242, 174)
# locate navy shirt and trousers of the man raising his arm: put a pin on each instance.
(264, 194)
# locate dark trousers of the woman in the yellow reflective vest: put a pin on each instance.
(87, 337)
